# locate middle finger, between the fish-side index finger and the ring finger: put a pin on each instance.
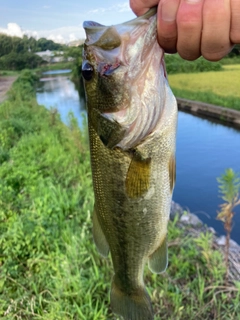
(189, 25)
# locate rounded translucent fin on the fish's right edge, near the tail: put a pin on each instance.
(158, 261)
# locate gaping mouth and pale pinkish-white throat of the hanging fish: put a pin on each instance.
(130, 51)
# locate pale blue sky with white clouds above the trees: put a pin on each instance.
(59, 20)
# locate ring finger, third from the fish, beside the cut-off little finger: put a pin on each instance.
(216, 29)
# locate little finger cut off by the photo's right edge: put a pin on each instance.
(235, 21)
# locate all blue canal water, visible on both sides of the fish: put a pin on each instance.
(204, 150)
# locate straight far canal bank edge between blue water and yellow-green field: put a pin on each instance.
(221, 114)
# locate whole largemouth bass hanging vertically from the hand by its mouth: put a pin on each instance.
(132, 118)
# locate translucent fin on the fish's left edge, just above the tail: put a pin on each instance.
(99, 237)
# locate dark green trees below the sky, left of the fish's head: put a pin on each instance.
(19, 53)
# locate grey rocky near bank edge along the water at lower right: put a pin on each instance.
(193, 226)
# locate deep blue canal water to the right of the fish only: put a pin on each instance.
(204, 151)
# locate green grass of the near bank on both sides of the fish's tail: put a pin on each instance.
(49, 267)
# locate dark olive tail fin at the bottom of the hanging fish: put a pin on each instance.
(136, 306)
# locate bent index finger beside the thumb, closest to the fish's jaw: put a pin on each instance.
(167, 27)
